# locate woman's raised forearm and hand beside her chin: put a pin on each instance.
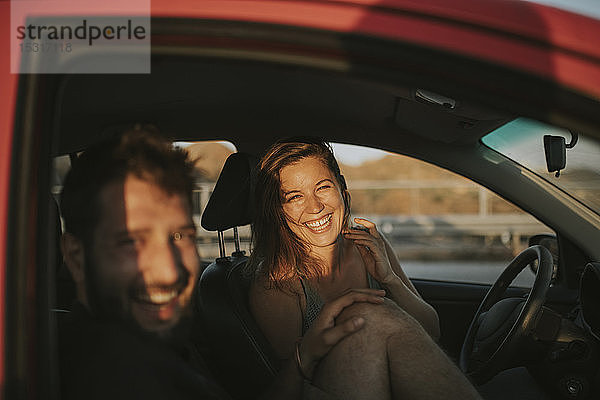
(382, 263)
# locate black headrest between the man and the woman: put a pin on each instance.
(230, 202)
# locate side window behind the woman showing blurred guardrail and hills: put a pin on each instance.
(442, 225)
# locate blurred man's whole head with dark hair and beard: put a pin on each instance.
(130, 237)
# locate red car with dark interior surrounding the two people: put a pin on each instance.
(470, 86)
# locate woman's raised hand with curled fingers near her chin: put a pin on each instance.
(371, 247)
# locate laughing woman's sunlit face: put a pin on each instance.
(312, 201)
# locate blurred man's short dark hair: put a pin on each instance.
(141, 152)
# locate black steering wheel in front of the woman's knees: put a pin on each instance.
(499, 327)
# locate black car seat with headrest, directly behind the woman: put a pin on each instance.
(238, 353)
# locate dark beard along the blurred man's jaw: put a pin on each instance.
(108, 306)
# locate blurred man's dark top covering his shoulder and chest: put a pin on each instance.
(108, 360)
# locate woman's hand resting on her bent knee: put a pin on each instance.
(324, 333)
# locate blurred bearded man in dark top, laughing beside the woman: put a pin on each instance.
(129, 243)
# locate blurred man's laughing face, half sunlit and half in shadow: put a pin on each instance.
(143, 261)
